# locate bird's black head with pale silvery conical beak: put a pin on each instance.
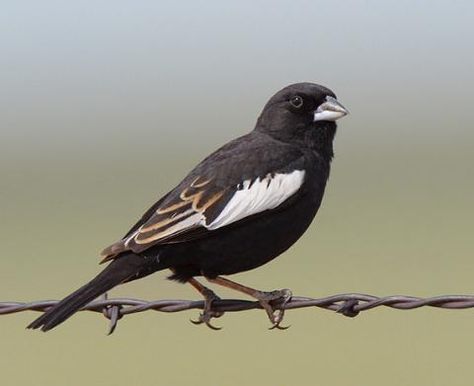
(302, 112)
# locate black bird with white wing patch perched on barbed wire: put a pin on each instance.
(242, 206)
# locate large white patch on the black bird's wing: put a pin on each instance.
(257, 196)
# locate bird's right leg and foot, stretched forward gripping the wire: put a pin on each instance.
(273, 302)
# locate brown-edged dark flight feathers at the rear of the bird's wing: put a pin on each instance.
(179, 218)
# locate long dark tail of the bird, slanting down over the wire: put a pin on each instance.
(122, 269)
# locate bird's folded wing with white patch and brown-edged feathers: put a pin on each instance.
(219, 192)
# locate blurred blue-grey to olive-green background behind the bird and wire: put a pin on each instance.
(104, 106)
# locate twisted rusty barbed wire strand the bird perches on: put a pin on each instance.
(349, 305)
